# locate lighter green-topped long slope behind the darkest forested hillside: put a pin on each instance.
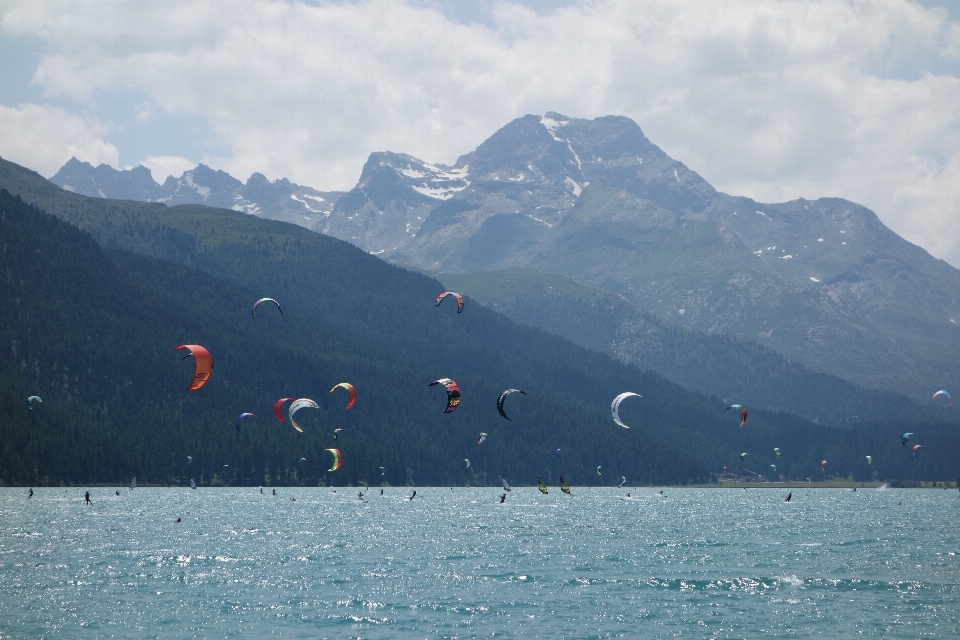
(337, 285)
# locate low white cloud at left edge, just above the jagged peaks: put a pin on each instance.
(43, 138)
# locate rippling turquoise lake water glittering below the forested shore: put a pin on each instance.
(694, 563)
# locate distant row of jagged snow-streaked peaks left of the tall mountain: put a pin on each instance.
(277, 200)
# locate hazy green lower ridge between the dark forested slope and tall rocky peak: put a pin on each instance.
(735, 369)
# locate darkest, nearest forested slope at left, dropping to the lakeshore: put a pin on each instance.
(92, 332)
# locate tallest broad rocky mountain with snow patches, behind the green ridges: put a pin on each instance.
(822, 282)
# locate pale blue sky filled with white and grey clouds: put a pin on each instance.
(773, 100)
